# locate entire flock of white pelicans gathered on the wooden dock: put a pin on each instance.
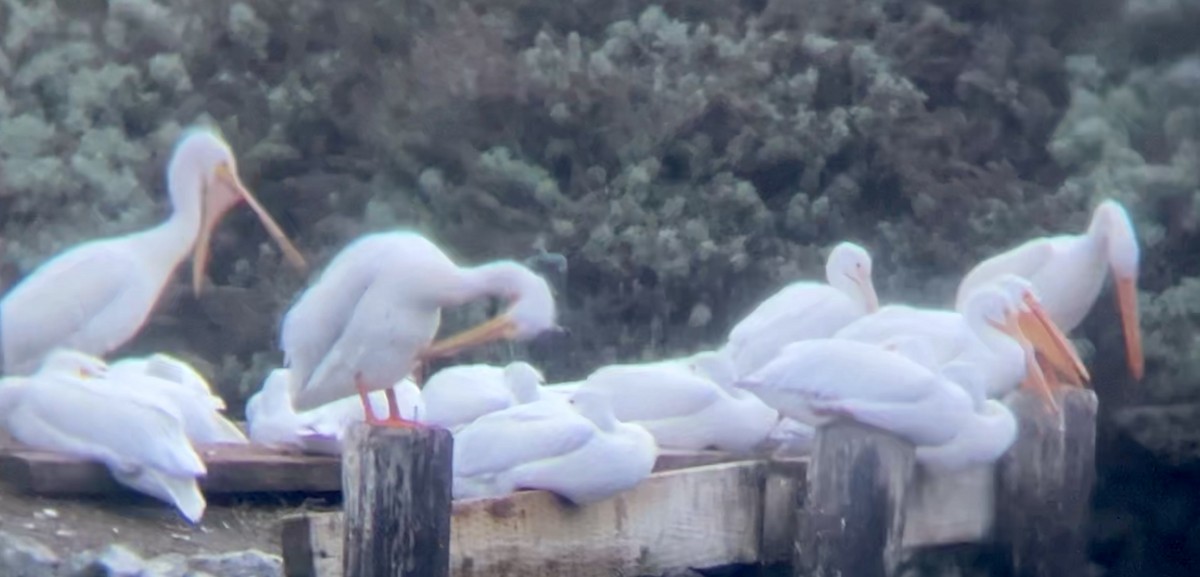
(358, 340)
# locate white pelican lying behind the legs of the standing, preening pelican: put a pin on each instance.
(272, 422)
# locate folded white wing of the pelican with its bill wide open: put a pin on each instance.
(92, 299)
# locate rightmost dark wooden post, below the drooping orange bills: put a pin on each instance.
(1045, 488)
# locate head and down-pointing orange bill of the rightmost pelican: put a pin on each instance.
(1112, 224)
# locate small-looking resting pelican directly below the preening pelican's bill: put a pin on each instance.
(458, 395)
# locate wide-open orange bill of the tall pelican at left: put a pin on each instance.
(214, 207)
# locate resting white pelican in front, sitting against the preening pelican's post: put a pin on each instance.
(577, 449)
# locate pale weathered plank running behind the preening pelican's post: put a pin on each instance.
(698, 518)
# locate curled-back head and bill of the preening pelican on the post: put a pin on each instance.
(532, 311)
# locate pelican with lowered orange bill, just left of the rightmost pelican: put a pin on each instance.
(986, 335)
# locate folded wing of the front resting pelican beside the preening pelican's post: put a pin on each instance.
(520, 435)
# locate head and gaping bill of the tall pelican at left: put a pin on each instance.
(205, 163)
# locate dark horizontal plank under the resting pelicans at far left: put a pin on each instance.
(232, 470)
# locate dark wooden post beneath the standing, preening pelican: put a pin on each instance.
(397, 491)
